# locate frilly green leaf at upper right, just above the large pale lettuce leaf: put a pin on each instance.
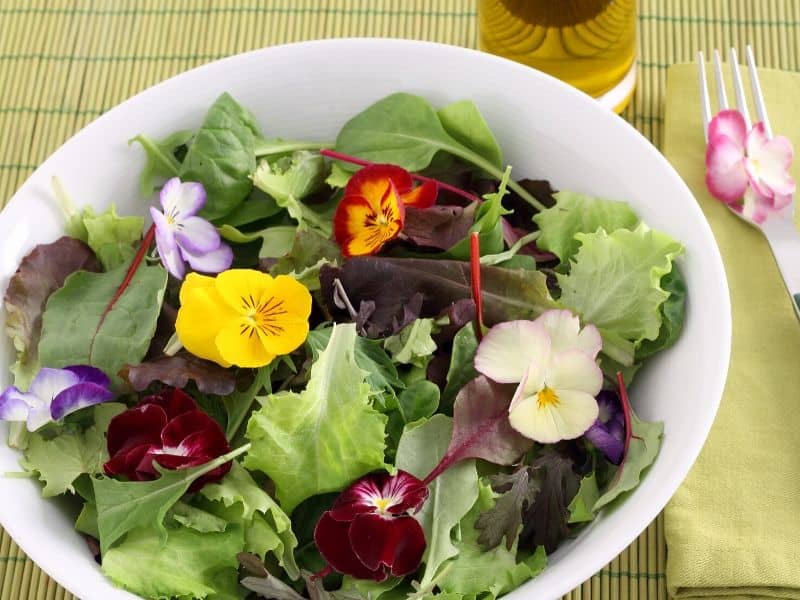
(579, 213)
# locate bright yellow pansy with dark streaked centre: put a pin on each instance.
(242, 317)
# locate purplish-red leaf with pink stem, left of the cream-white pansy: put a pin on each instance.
(481, 428)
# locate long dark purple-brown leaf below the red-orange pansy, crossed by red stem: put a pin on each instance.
(390, 283)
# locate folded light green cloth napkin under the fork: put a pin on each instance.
(733, 528)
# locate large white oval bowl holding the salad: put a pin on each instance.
(308, 90)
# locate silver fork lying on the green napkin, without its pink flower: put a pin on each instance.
(779, 228)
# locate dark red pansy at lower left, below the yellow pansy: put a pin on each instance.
(167, 428)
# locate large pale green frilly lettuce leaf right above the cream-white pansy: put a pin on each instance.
(615, 283)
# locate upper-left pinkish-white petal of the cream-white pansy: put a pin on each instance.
(508, 349)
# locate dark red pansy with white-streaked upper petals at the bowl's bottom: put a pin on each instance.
(369, 532)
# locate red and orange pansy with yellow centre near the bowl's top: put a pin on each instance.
(372, 210)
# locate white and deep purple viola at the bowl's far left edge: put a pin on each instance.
(55, 393)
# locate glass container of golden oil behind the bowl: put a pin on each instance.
(590, 44)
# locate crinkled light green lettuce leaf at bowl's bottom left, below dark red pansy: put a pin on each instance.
(185, 564)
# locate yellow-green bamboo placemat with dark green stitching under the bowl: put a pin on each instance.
(63, 63)
